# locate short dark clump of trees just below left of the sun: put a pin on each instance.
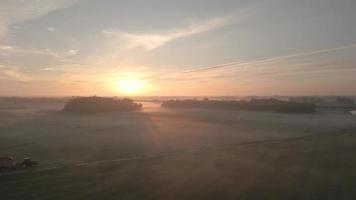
(100, 104)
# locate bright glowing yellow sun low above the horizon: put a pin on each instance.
(130, 86)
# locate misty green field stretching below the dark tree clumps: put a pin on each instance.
(178, 154)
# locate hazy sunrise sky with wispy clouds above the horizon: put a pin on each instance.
(177, 48)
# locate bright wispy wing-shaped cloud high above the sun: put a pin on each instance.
(152, 41)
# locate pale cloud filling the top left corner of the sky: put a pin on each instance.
(17, 11)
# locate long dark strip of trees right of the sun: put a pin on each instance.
(273, 105)
